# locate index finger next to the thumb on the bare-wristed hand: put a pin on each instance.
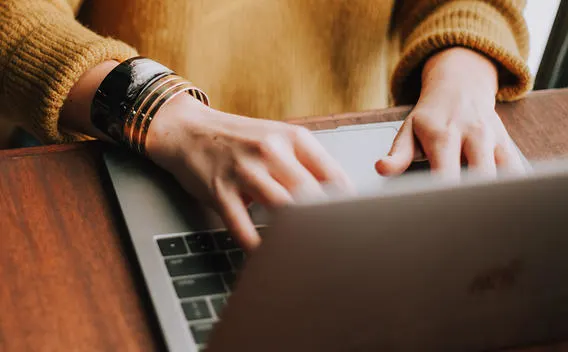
(443, 150)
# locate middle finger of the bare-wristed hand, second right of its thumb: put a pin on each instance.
(480, 156)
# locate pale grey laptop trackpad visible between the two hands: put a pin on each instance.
(357, 149)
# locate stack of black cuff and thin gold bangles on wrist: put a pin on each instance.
(130, 96)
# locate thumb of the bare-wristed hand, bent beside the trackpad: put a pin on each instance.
(401, 154)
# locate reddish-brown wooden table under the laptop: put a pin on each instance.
(68, 280)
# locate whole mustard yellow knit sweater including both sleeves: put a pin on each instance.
(263, 58)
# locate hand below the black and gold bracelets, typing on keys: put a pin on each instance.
(227, 160)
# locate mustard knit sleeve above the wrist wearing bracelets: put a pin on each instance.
(43, 52)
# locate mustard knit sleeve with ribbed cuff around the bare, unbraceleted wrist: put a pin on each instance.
(495, 28)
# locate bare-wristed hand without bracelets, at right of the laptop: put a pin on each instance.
(455, 120)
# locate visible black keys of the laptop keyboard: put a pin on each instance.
(202, 267)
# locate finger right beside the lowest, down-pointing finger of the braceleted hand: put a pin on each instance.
(261, 187)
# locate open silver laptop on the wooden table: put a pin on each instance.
(355, 274)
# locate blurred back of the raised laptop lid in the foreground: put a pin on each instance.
(476, 267)
